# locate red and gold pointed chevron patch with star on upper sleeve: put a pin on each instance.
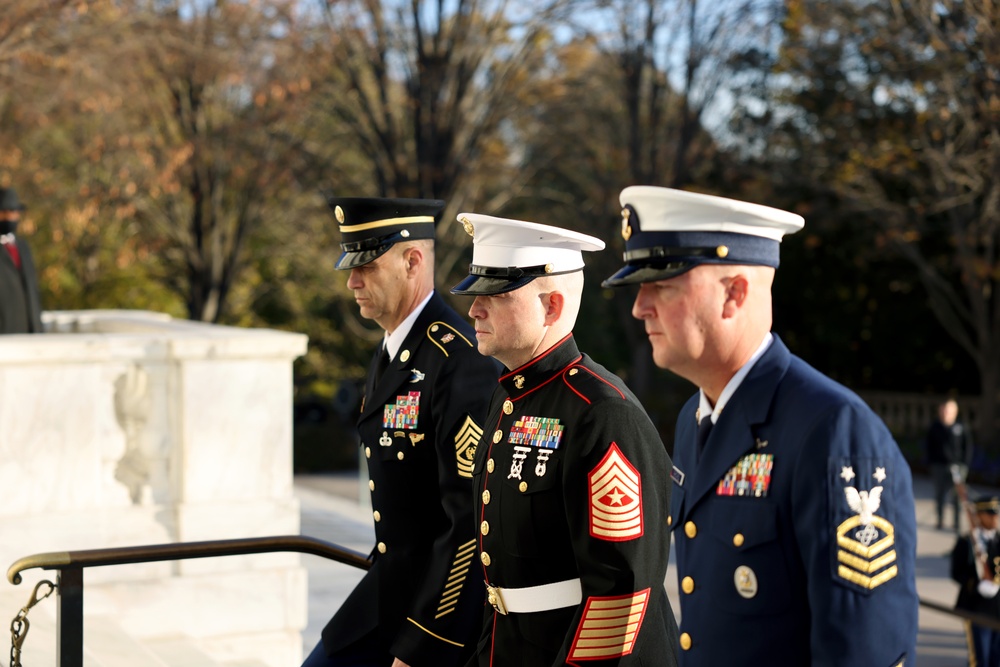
(615, 498)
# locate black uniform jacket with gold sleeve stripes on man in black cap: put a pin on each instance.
(419, 427)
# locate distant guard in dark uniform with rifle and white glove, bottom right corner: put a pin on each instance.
(975, 565)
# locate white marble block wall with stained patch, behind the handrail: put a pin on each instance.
(121, 428)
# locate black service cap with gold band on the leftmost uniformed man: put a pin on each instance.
(369, 226)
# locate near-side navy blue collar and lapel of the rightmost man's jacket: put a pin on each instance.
(733, 435)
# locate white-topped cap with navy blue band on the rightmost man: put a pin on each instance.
(668, 232)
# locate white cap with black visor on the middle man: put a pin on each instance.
(507, 254)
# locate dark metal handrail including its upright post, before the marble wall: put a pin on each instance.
(70, 565)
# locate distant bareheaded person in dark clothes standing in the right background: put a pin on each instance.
(949, 454)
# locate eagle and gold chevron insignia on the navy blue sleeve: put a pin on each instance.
(865, 541)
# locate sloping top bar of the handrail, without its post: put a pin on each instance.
(186, 550)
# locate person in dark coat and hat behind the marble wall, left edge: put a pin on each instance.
(20, 303)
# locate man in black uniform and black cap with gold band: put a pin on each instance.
(421, 421)
